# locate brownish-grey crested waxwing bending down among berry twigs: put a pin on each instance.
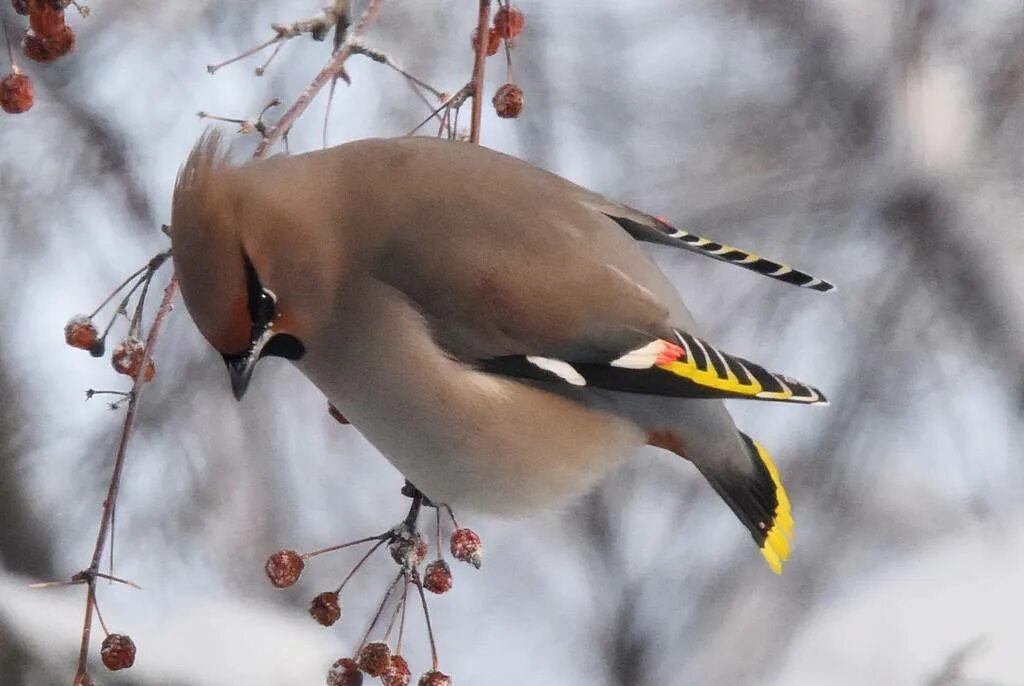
(497, 332)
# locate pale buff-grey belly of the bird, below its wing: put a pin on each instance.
(486, 443)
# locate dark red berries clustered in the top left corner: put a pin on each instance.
(49, 37)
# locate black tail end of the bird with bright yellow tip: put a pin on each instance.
(759, 500)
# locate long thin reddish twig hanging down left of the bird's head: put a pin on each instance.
(119, 461)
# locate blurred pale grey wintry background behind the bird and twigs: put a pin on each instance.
(877, 144)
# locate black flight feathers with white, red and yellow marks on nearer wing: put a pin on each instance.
(687, 367)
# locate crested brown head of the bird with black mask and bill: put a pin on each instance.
(248, 275)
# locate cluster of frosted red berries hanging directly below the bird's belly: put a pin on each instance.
(376, 659)
